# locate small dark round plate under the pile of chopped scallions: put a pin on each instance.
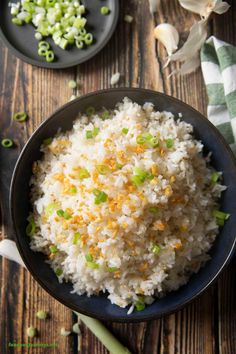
(20, 39)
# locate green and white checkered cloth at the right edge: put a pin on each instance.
(218, 62)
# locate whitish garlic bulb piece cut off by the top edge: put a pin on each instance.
(204, 8)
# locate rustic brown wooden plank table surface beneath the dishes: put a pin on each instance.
(207, 325)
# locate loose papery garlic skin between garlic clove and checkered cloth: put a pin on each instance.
(189, 53)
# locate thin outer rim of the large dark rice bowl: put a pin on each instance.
(121, 319)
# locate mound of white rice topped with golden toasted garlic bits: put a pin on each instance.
(120, 232)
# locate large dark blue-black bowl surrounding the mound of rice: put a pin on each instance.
(100, 306)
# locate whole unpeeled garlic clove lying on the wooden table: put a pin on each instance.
(168, 36)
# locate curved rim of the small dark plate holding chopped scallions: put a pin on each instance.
(55, 65)
